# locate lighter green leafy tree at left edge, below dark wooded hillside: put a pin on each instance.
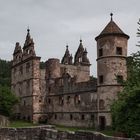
(7, 101)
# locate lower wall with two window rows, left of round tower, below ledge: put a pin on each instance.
(73, 109)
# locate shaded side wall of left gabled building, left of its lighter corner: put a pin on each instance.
(22, 86)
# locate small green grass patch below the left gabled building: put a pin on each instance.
(20, 123)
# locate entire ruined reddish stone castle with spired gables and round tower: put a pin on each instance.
(64, 93)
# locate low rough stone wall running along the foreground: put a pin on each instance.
(49, 133)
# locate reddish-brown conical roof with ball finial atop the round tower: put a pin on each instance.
(111, 29)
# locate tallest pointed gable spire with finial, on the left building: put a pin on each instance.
(28, 40)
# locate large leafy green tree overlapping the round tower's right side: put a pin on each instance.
(126, 109)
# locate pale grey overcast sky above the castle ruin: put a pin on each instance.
(55, 23)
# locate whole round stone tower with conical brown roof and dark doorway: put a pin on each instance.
(111, 68)
